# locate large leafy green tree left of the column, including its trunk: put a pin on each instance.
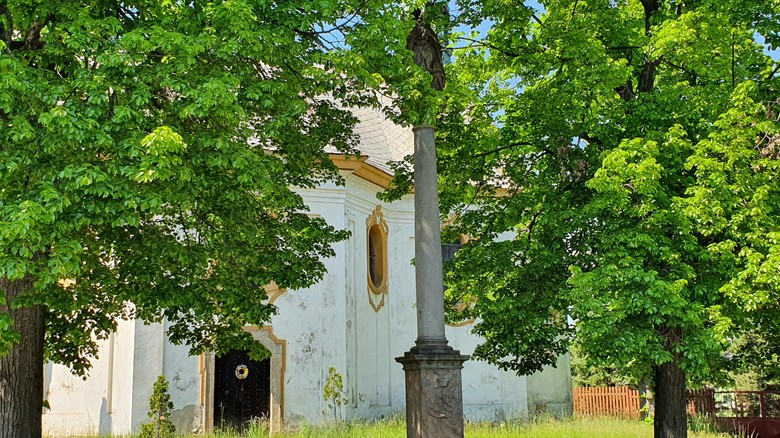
(147, 152)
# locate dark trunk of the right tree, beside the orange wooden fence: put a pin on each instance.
(671, 417)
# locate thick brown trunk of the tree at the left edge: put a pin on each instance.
(21, 371)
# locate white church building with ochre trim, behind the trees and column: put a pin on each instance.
(357, 320)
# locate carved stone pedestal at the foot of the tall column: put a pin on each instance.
(434, 390)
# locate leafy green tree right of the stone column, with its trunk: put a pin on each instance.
(613, 161)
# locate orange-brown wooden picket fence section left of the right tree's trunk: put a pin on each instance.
(617, 401)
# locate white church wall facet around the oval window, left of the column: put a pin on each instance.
(375, 381)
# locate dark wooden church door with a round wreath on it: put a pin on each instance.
(238, 400)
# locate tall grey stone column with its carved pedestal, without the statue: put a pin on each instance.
(434, 391)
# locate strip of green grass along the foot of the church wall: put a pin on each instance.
(537, 428)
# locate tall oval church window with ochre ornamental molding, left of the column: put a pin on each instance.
(376, 258)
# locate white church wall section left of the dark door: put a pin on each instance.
(114, 399)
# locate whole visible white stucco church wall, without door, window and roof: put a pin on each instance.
(330, 324)
